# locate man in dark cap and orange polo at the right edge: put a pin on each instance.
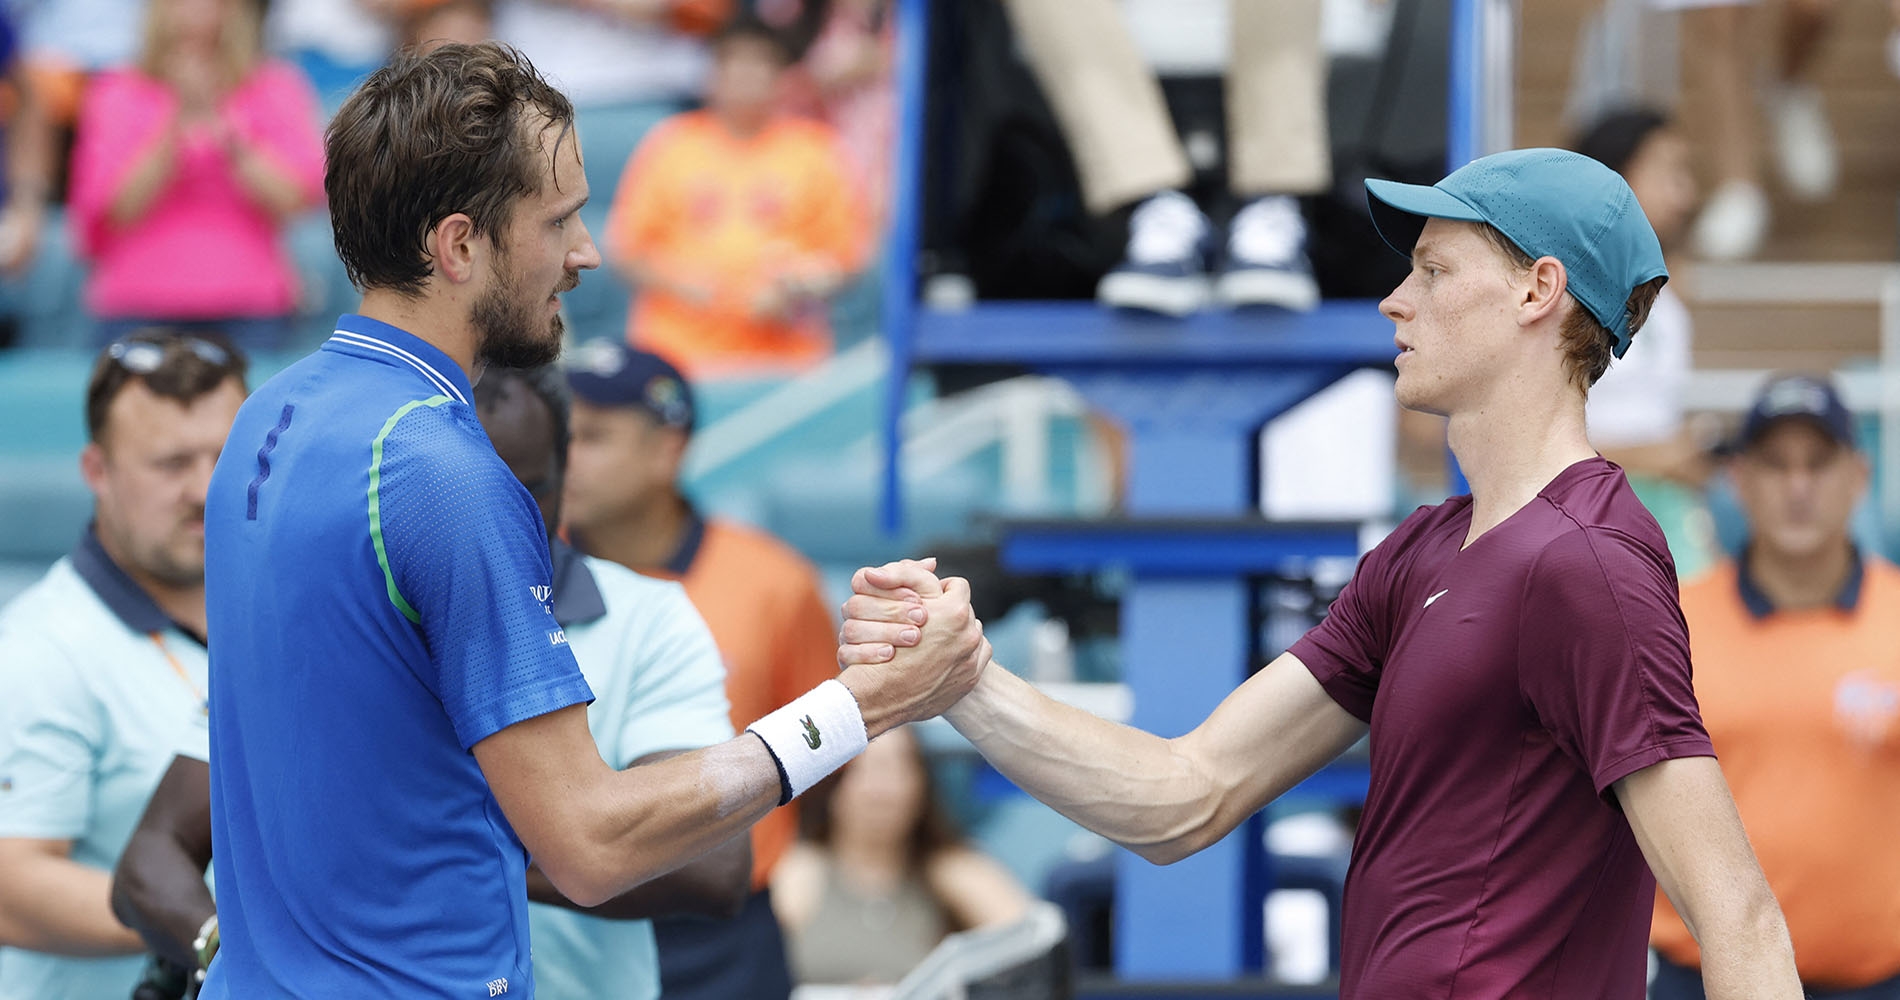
(1795, 666)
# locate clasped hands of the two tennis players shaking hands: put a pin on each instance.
(911, 647)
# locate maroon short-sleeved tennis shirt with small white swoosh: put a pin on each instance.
(1508, 685)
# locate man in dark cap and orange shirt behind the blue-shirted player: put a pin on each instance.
(634, 415)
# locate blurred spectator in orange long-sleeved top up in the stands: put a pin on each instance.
(736, 223)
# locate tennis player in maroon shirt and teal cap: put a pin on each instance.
(1517, 655)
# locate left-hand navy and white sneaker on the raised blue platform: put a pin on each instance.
(1166, 269)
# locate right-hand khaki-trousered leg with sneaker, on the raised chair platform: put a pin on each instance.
(1278, 149)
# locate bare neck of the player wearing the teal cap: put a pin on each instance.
(1510, 453)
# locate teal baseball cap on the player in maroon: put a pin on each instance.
(1551, 204)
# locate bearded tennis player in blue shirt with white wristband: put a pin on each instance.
(396, 720)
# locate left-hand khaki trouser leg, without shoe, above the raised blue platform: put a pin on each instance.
(1105, 98)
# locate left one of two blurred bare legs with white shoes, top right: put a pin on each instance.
(1738, 214)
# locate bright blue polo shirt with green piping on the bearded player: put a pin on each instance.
(379, 596)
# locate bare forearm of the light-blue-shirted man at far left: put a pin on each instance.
(62, 908)
